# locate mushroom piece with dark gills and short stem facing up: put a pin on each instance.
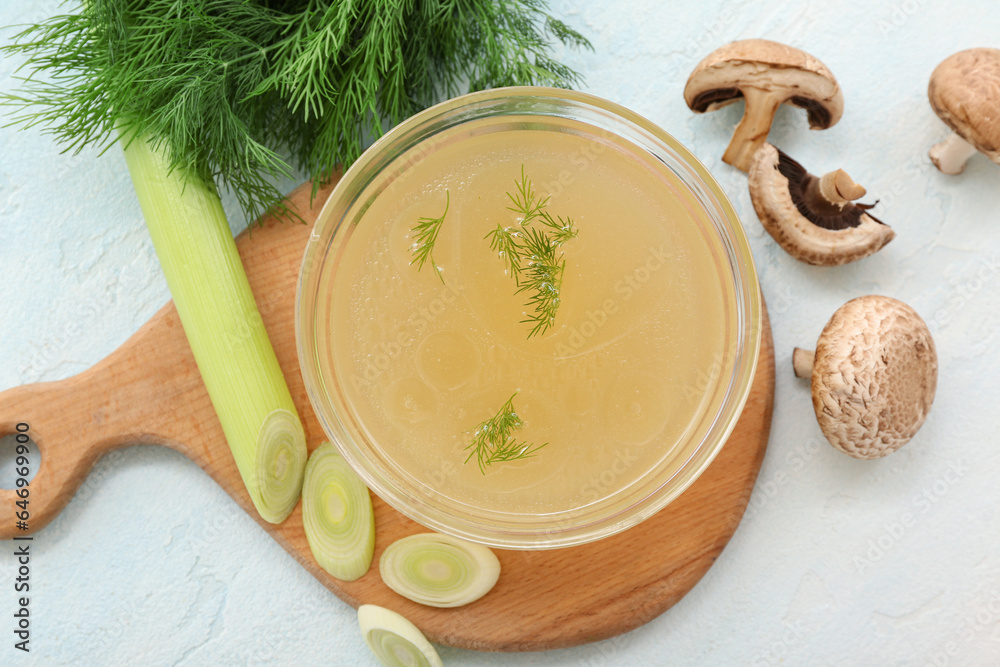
(813, 218)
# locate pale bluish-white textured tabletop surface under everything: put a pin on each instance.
(152, 564)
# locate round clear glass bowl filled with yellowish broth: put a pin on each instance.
(352, 333)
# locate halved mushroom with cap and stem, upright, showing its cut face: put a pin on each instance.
(766, 74)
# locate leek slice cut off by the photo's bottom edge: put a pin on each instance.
(394, 640)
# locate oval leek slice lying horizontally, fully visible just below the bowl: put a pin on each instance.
(439, 570)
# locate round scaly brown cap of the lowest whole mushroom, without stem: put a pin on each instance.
(874, 376)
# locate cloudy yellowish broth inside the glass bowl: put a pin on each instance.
(616, 387)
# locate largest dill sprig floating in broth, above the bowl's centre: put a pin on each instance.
(532, 256)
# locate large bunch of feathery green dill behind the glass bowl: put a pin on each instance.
(240, 91)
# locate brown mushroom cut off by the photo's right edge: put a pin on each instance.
(965, 93)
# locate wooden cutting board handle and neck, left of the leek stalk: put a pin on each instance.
(122, 400)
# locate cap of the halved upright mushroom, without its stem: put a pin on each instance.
(803, 80)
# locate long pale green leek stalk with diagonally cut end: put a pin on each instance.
(203, 270)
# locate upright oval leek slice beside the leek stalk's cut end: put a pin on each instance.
(337, 515)
